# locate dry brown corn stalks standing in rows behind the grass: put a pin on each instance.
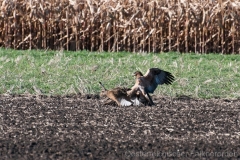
(200, 26)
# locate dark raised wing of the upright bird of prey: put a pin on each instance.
(155, 77)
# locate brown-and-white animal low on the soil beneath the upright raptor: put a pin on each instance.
(124, 96)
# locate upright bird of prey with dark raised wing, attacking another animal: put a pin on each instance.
(148, 83)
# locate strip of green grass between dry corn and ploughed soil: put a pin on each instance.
(61, 73)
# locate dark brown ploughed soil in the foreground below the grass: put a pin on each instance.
(81, 127)
